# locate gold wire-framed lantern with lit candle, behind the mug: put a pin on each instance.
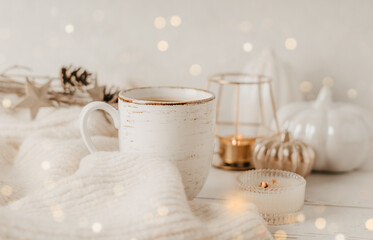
(245, 112)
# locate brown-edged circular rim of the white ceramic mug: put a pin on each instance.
(150, 102)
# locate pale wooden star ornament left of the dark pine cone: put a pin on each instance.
(36, 97)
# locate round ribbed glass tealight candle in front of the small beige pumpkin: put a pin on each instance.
(278, 195)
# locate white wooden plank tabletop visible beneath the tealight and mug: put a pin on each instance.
(344, 201)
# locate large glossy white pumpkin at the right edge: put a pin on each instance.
(340, 133)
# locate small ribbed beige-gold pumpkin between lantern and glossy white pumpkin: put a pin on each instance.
(284, 153)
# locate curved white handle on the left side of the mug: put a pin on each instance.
(83, 118)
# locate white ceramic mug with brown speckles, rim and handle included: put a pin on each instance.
(174, 123)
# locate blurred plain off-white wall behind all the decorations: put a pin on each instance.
(170, 42)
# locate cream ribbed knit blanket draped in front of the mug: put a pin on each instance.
(51, 188)
